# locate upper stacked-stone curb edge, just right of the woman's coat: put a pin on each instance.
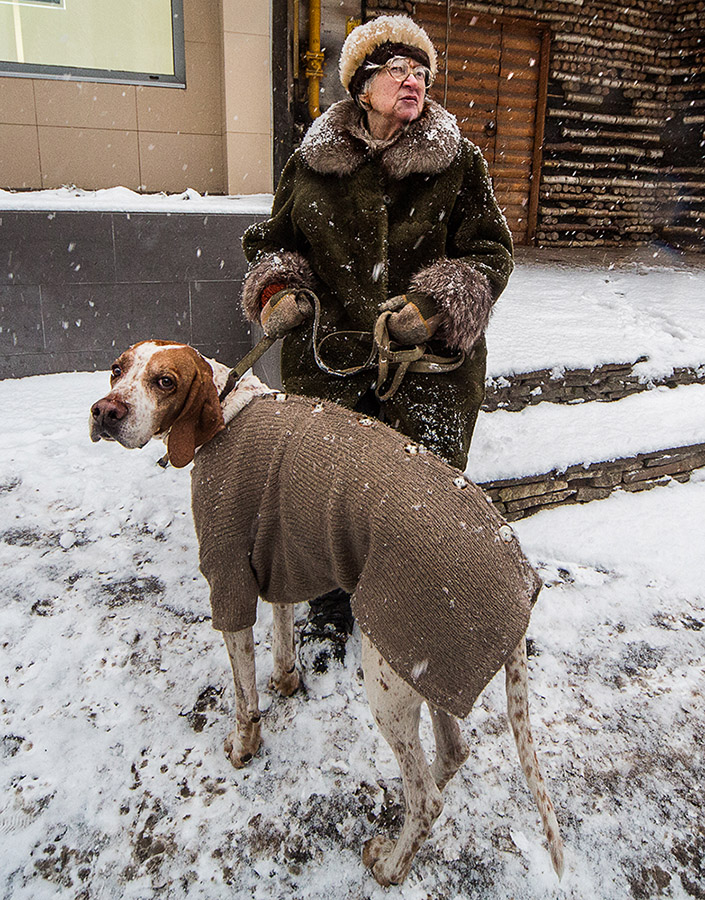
(612, 381)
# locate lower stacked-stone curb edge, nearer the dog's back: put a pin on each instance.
(516, 498)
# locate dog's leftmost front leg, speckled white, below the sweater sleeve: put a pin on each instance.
(242, 743)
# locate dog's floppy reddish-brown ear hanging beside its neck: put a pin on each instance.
(200, 419)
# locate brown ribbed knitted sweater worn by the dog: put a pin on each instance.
(296, 497)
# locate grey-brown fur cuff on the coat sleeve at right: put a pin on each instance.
(463, 296)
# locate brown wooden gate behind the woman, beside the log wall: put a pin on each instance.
(496, 86)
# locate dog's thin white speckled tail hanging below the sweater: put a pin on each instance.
(518, 712)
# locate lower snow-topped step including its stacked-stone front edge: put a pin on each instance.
(550, 454)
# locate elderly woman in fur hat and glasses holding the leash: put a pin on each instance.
(383, 203)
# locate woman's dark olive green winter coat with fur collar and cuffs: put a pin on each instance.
(359, 221)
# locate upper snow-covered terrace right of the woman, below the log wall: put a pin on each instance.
(600, 307)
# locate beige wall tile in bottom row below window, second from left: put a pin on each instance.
(88, 157)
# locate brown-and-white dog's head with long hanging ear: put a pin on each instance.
(159, 389)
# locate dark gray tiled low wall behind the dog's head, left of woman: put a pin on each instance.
(77, 288)
